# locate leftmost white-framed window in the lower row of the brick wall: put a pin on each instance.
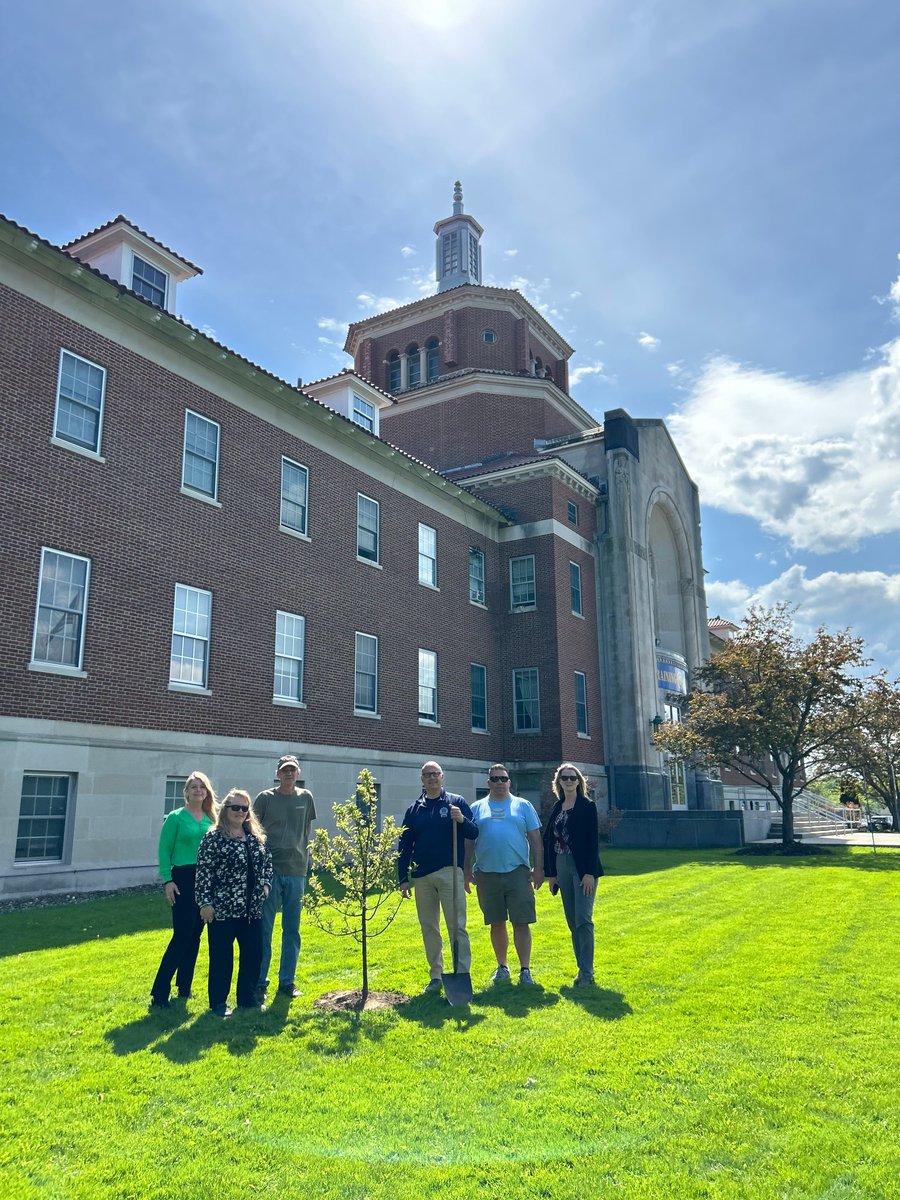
(62, 610)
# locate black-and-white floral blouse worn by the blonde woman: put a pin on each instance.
(232, 875)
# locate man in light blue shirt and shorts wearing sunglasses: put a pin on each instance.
(508, 867)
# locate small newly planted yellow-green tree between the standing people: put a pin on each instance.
(353, 889)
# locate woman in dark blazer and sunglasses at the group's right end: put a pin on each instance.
(572, 863)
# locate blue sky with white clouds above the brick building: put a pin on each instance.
(704, 199)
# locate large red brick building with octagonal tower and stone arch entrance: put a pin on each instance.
(435, 554)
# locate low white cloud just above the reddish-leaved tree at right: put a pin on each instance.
(867, 602)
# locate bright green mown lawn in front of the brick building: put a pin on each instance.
(743, 1043)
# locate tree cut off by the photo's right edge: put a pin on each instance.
(872, 748)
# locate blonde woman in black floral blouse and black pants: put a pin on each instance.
(235, 872)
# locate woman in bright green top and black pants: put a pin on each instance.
(179, 842)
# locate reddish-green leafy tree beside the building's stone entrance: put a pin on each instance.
(771, 694)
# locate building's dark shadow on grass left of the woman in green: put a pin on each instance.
(91, 921)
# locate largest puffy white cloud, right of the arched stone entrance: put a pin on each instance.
(817, 463)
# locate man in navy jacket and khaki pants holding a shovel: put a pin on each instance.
(427, 857)
